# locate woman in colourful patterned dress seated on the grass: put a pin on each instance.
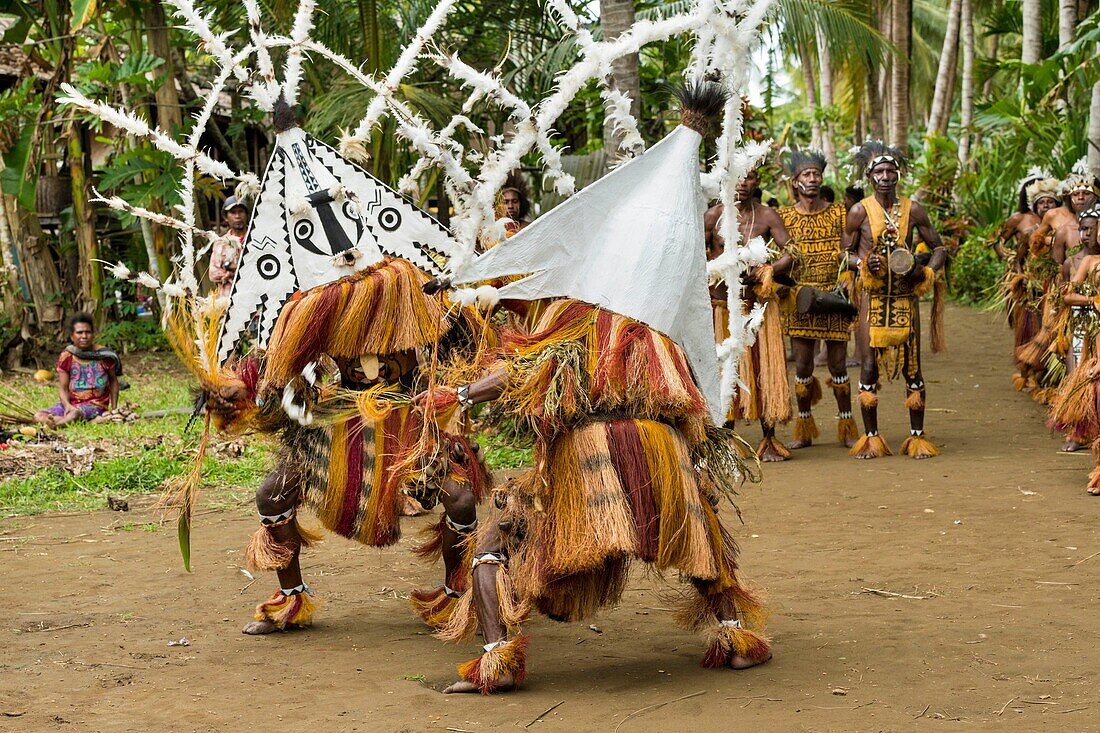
(87, 378)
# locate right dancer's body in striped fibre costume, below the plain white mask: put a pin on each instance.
(629, 467)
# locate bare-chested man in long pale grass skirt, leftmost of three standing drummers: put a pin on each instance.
(764, 367)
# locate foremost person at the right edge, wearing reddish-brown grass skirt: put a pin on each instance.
(1074, 410)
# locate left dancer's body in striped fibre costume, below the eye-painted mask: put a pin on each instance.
(335, 386)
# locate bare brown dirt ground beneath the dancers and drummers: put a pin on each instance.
(991, 546)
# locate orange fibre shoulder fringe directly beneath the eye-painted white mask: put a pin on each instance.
(381, 310)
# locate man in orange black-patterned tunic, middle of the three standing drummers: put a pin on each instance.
(817, 228)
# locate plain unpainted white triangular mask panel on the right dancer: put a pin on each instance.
(631, 243)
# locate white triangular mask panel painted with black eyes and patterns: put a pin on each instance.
(320, 218)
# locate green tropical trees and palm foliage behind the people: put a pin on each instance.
(977, 93)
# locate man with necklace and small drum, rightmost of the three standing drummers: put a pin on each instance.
(882, 247)
